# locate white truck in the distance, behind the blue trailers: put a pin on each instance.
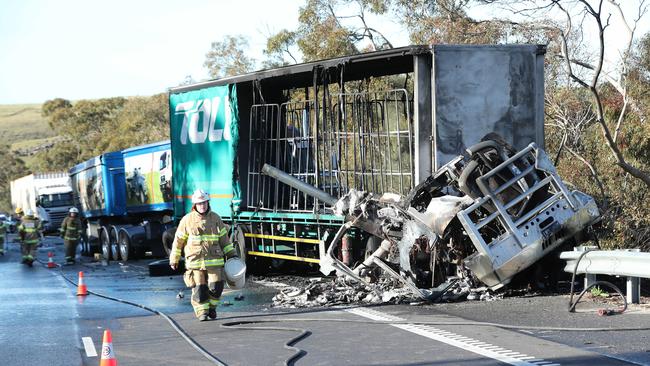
(48, 195)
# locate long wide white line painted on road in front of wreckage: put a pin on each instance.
(487, 350)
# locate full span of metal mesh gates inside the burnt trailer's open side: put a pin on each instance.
(362, 141)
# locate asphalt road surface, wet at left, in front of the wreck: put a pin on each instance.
(43, 322)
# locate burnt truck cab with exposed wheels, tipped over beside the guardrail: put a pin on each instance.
(489, 215)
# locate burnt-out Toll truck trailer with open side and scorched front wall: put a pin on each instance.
(377, 122)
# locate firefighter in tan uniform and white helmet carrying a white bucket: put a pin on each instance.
(204, 237)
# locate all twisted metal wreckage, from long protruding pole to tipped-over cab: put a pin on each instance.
(475, 223)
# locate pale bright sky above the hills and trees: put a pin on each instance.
(87, 49)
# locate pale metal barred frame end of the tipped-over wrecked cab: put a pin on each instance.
(507, 241)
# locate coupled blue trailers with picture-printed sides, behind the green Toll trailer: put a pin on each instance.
(124, 199)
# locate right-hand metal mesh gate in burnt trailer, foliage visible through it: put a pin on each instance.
(372, 134)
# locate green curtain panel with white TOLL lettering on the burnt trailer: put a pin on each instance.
(204, 138)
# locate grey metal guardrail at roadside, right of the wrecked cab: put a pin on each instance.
(630, 263)
